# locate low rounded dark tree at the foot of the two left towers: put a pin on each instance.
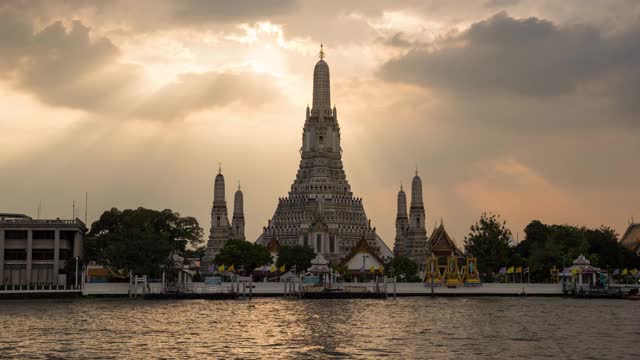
(243, 254)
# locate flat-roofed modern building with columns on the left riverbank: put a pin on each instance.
(33, 251)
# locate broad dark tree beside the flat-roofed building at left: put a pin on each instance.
(141, 240)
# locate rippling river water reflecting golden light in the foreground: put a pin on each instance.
(435, 328)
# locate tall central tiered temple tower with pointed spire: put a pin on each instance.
(320, 210)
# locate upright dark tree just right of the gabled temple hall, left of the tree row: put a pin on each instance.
(488, 241)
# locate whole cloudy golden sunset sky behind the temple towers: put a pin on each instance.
(527, 109)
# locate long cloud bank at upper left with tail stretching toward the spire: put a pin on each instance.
(65, 66)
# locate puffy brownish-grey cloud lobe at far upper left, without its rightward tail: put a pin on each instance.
(63, 66)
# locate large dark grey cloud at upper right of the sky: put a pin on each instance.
(526, 57)
